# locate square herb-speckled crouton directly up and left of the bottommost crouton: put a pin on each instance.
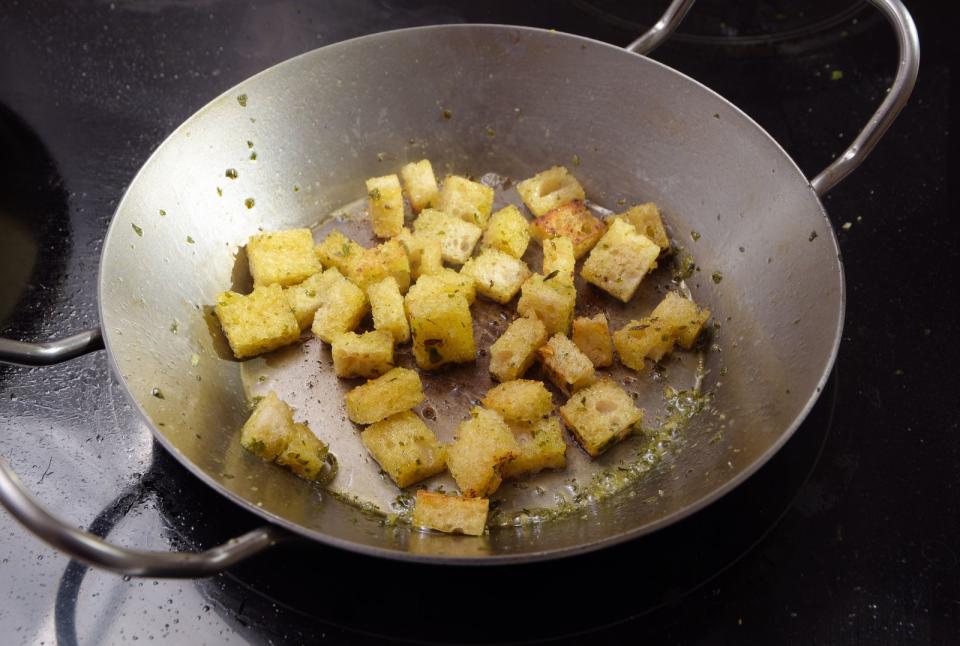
(405, 448)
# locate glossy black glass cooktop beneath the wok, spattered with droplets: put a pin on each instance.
(850, 534)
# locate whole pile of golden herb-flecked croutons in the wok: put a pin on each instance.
(408, 286)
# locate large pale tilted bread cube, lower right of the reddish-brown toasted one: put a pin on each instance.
(620, 261)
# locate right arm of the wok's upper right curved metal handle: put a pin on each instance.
(909, 45)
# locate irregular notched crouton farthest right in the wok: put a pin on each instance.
(674, 320)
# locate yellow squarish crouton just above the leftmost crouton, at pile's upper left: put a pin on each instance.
(282, 257)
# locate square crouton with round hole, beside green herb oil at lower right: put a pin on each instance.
(600, 415)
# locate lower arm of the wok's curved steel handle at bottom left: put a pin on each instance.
(94, 551)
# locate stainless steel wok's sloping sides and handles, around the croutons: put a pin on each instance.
(474, 98)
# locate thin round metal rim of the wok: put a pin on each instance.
(486, 559)
